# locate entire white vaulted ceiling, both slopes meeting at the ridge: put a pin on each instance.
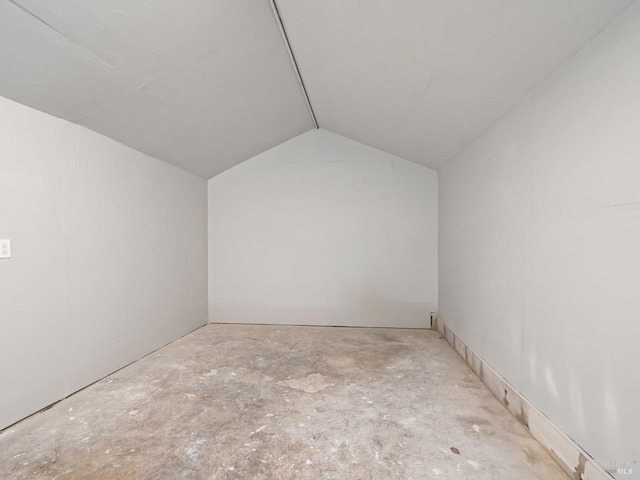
(207, 84)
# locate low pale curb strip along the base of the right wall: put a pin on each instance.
(572, 459)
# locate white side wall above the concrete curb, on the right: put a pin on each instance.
(539, 235)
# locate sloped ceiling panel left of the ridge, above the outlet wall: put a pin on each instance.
(202, 84)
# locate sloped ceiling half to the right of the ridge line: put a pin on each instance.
(422, 78)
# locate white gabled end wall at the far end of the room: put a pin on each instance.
(322, 230)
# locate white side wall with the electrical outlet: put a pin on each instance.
(109, 257)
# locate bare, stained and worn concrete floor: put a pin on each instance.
(272, 402)
